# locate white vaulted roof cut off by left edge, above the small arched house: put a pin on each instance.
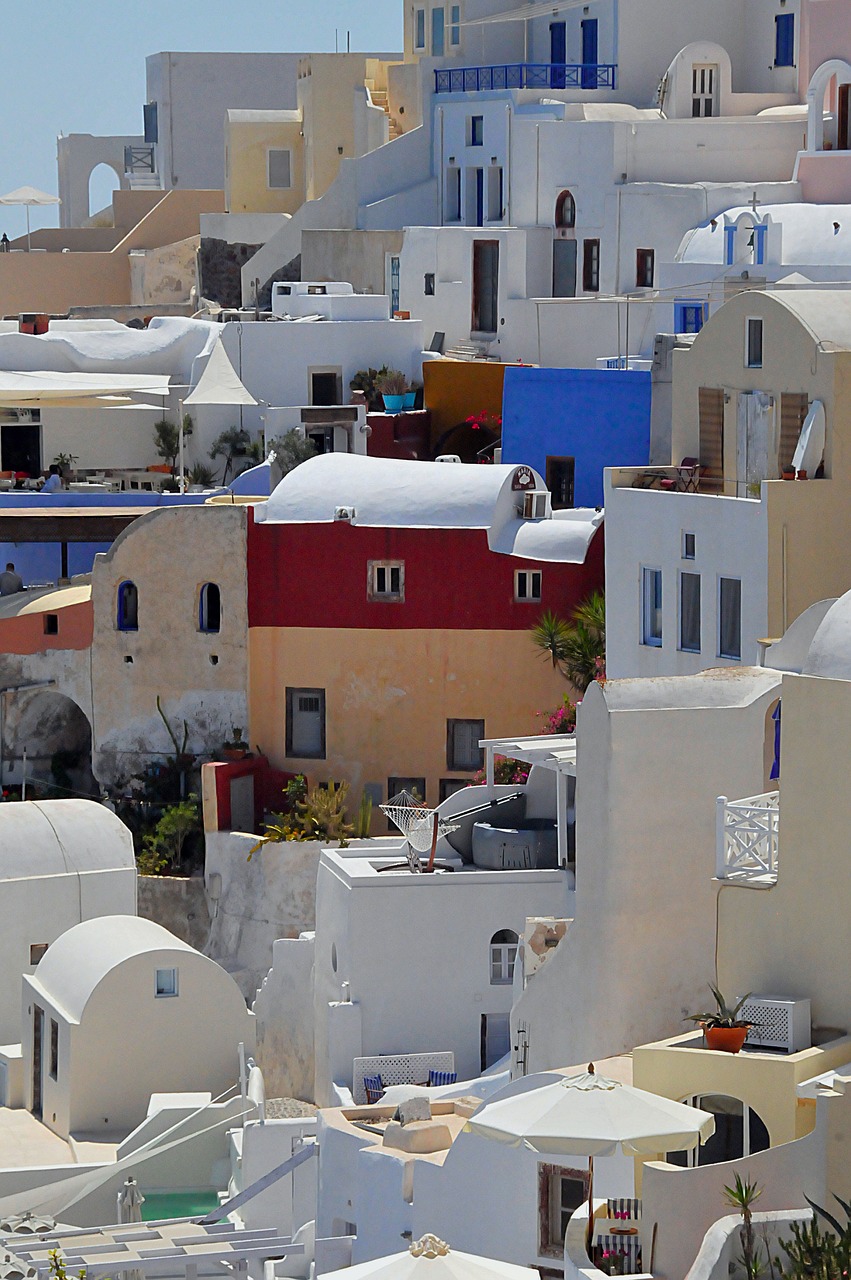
(62, 838)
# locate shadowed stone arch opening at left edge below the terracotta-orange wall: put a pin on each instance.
(58, 738)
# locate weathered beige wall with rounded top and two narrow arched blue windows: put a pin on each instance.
(170, 555)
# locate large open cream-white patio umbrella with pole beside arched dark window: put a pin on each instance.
(591, 1116)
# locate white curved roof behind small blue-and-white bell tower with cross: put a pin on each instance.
(809, 235)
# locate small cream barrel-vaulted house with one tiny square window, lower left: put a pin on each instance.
(121, 1009)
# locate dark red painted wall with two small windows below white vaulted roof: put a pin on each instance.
(317, 577)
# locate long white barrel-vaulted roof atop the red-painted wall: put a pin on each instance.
(390, 493)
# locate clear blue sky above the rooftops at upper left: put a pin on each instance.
(79, 66)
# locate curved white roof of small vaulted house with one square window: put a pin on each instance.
(79, 961)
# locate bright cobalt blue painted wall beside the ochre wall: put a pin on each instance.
(598, 417)
